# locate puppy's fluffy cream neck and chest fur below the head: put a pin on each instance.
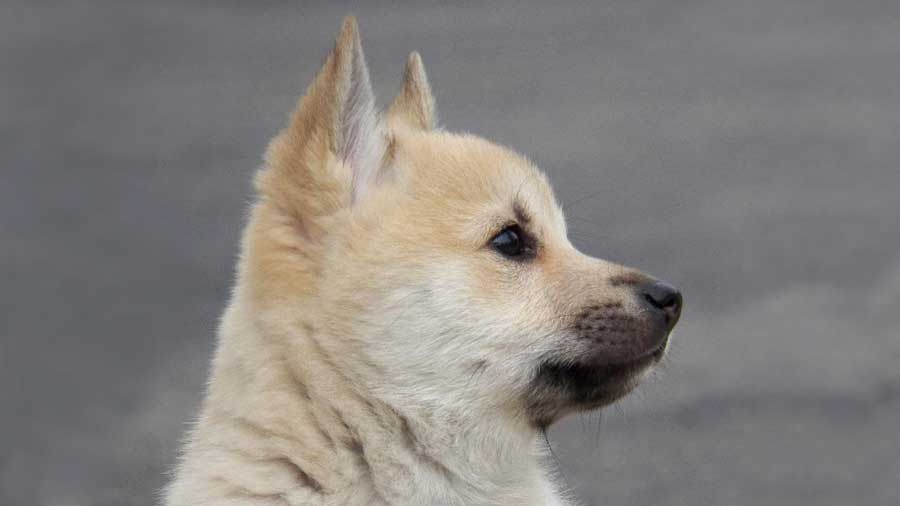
(287, 421)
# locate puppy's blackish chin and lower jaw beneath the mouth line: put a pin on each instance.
(562, 388)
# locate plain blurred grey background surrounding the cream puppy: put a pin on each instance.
(746, 151)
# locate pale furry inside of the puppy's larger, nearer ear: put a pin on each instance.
(363, 141)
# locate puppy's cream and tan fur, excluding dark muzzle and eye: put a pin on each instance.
(374, 350)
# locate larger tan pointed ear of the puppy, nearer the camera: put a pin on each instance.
(336, 121)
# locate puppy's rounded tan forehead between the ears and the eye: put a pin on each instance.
(473, 176)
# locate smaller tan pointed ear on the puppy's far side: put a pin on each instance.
(414, 106)
